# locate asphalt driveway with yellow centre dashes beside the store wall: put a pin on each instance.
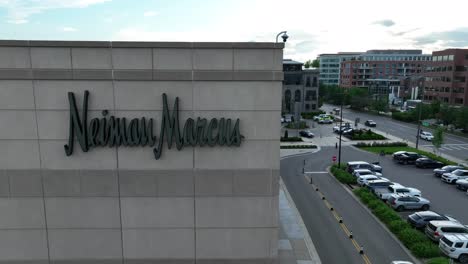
(330, 239)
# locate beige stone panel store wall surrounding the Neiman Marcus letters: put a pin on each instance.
(120, 205)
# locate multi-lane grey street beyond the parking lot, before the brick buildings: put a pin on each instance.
(455, 146)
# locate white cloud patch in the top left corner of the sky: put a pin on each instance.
(19, 11)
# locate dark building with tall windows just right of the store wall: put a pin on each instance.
(300, 88)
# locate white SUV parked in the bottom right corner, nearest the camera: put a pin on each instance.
(455, 246)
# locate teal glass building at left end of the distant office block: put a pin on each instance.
(330, 65)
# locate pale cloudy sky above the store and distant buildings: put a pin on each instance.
(313, 26)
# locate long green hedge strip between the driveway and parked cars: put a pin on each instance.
(414, 240)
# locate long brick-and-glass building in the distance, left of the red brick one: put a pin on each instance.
(382, 64)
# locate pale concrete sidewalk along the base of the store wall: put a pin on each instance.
(295, 245)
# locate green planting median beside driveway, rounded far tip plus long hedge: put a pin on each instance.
(414, 240)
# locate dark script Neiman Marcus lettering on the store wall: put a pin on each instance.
(114, 131)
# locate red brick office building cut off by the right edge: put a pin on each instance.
(446, 77)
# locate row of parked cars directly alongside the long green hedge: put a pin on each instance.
(451, 235)
